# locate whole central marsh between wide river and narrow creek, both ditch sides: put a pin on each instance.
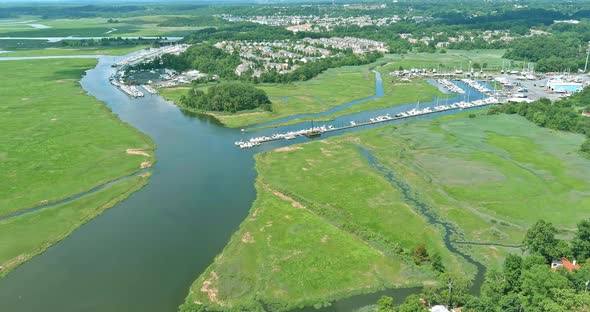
(325, 225)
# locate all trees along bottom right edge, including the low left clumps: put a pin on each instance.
(524, 283)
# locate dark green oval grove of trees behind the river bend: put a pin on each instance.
(228, 97)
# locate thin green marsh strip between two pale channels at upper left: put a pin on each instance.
(75, 51)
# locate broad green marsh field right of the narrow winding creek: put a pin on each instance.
(493, 176)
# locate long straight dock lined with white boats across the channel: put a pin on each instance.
(317, 131)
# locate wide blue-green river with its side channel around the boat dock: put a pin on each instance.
(144, 253)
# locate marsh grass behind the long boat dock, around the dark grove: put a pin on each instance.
(328, 90)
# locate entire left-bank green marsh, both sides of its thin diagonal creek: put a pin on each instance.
(58, 142)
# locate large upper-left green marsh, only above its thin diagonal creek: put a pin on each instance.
(56, 141)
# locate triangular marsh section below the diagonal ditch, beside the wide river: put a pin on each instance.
(285, 255)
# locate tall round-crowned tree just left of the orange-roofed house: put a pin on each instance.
(541, 239)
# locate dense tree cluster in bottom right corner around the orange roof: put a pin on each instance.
(528, 283)
